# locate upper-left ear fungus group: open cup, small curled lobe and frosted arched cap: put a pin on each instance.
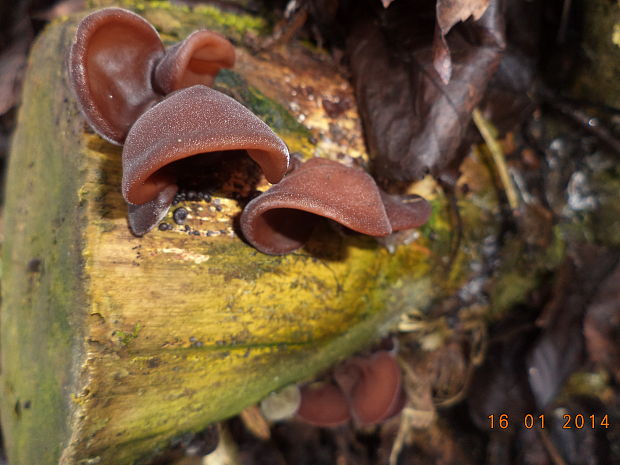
(156, 102)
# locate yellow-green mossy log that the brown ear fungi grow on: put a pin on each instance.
(114, 345)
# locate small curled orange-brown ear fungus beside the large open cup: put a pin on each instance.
(196, 60)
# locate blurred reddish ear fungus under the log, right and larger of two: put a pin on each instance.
(372, 386)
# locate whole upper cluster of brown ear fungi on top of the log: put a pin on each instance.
(157, 104)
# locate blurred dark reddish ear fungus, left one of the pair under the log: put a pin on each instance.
(323, 404)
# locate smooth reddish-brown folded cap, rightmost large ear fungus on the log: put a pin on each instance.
(281, 219)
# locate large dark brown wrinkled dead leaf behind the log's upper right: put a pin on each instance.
(414, 122)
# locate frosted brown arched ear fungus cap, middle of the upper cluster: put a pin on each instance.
(189, 122)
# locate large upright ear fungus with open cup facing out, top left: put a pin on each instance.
(110, 68)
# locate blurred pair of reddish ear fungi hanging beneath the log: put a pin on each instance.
(365, 389)
